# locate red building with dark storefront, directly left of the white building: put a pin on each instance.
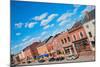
(78, 37)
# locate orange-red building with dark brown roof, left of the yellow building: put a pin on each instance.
(31, 52)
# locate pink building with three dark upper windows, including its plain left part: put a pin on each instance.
(63, 46)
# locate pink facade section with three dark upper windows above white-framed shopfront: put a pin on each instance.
(67, 44)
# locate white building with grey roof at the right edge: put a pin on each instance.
(89, 26)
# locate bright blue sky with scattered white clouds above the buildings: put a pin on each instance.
(36, 21)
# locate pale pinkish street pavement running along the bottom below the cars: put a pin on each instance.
(81, 58)
